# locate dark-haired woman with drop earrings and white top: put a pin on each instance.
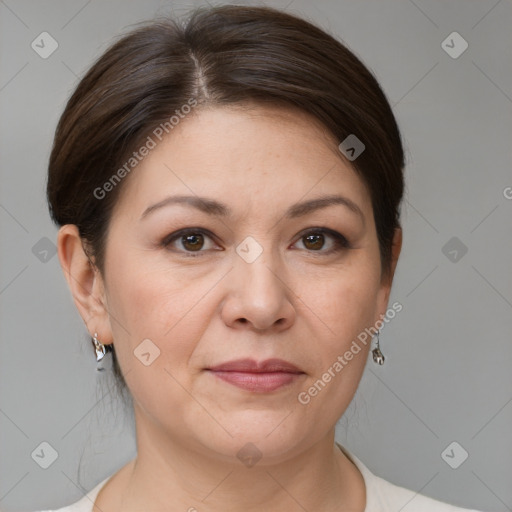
(228, 193)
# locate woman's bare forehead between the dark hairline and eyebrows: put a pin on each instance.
(245, 155)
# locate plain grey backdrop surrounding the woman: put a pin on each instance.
(448, 373)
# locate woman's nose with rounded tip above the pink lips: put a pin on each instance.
(258, 296)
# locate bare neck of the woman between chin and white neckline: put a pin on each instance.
(169, 475)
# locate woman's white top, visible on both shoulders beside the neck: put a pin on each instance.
(381, 496)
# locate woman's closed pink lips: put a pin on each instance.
(262, 377)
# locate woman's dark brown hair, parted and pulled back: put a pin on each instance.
(221, 55)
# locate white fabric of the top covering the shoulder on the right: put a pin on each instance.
(384, 496)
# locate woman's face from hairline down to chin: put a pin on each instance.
(245, 282)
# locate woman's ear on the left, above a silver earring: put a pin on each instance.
(85, 282)
